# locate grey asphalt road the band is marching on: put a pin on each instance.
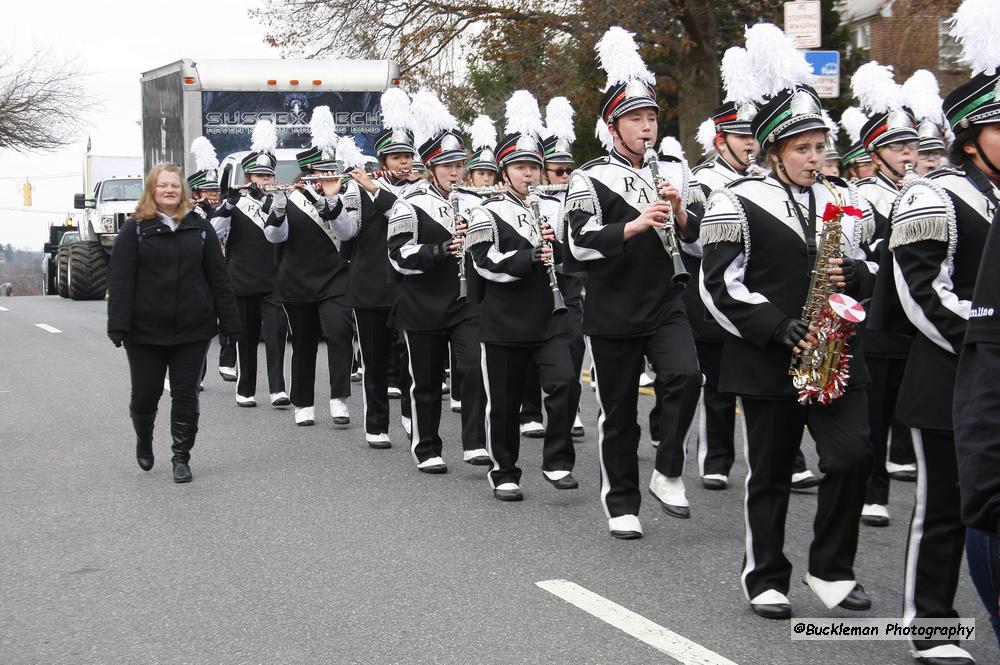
(302, 545)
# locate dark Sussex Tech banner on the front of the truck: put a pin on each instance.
(228, 117)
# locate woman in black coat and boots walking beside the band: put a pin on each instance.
(168, 295)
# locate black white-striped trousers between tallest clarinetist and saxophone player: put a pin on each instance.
(717, 416)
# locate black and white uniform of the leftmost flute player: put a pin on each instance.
(252, 270)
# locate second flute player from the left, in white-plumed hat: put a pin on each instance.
(312, 274)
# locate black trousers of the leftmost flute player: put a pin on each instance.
(261, 313)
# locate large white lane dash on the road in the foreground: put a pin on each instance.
(636, 625)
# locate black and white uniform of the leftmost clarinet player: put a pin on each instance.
(428, 312)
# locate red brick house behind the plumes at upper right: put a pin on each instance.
(908, 34)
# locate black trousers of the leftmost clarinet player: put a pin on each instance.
(428, 353)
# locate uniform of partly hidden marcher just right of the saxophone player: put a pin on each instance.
(885, 349)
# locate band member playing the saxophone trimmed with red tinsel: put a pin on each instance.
(750, 227)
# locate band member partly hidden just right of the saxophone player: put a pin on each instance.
(891, 140)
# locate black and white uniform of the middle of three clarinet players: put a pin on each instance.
(518, 327)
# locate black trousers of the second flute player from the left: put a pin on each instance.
(308, 322)
